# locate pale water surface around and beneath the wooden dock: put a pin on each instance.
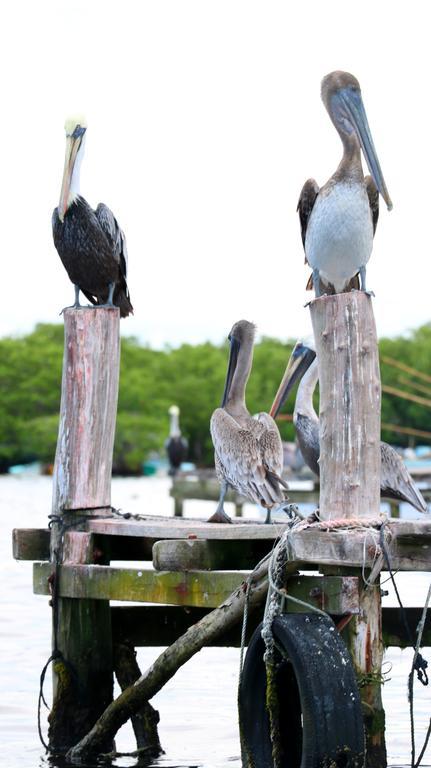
(198, 715)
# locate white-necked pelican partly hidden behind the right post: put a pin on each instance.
(395, 481)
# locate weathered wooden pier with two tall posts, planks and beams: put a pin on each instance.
(195, 579)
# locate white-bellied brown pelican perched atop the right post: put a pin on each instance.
(338, 221)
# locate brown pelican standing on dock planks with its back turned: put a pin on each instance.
(248, 451)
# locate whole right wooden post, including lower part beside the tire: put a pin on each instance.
(350, 402)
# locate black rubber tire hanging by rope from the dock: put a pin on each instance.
(316, 698)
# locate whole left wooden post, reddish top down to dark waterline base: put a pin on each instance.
(83, 683)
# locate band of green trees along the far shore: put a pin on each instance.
(192, 377)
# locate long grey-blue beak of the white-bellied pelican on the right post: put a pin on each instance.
(353, 104)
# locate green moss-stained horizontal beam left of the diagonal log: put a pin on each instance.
(98, 582)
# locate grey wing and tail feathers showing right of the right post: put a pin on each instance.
(395, 480)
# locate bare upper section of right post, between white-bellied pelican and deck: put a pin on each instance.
(349, 382)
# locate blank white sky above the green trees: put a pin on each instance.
(204, 121)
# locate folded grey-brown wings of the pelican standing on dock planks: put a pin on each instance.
(241, 458)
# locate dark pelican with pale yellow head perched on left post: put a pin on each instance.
(90, 243)
